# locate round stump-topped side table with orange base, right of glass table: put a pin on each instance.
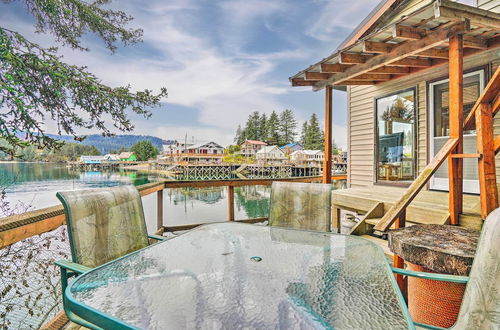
(435, 249)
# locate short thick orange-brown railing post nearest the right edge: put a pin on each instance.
(486, 165)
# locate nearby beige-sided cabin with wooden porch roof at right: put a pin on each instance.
(404, 114)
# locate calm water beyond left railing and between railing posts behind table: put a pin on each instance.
(37, 183)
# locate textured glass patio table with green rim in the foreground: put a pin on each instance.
(233, 276)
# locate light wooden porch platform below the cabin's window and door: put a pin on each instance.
(429, 207)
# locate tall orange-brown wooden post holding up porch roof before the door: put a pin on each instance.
(456, 117)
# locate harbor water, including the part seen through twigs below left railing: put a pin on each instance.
(36, 184)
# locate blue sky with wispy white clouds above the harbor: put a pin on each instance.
(219, 60)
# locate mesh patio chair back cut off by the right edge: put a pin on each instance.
(481, 304)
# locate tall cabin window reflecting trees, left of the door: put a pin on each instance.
(396, 137)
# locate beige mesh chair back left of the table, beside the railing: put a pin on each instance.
(104, 224)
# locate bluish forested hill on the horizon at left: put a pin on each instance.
(106, 143)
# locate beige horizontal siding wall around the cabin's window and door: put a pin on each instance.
(361, 116)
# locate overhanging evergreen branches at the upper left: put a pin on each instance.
(36, 84)
